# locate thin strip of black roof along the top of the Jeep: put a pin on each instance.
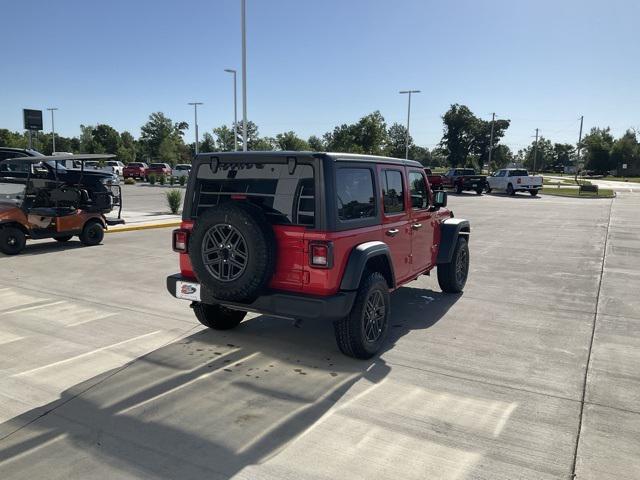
(283, 157)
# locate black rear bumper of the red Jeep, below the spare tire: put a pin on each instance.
(277, 304)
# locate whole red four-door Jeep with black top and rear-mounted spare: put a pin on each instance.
(307, 235)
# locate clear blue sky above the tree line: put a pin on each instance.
(315, 64)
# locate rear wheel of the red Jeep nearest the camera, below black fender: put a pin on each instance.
(362, 333)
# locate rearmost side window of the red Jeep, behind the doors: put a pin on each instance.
(354, 189)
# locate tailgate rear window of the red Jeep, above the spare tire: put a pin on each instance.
(285, 198)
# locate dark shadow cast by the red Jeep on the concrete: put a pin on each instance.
(209, 405)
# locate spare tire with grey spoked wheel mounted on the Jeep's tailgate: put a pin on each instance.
(233, 251)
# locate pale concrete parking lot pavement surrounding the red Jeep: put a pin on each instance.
(533, 372)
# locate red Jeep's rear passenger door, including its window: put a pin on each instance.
(396, 217)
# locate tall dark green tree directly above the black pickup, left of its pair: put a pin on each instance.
(459, 129)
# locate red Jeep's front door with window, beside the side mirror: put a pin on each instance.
(422, 223)
